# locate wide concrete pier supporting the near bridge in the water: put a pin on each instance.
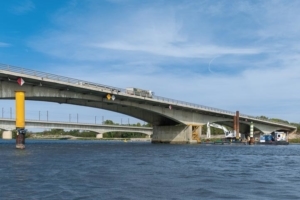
(180, 134)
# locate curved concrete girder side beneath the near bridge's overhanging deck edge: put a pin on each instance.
(158, 114)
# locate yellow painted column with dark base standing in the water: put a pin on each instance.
(20, 119)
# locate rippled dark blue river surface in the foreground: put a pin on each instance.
(74, 169)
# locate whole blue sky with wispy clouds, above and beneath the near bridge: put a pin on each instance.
(232, 55)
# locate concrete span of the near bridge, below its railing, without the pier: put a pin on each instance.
(153, 111)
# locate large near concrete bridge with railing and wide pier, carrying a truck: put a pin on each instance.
(173, 121)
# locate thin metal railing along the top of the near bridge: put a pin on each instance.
(101, 86)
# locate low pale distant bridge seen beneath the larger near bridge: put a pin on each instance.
(10, 124)
